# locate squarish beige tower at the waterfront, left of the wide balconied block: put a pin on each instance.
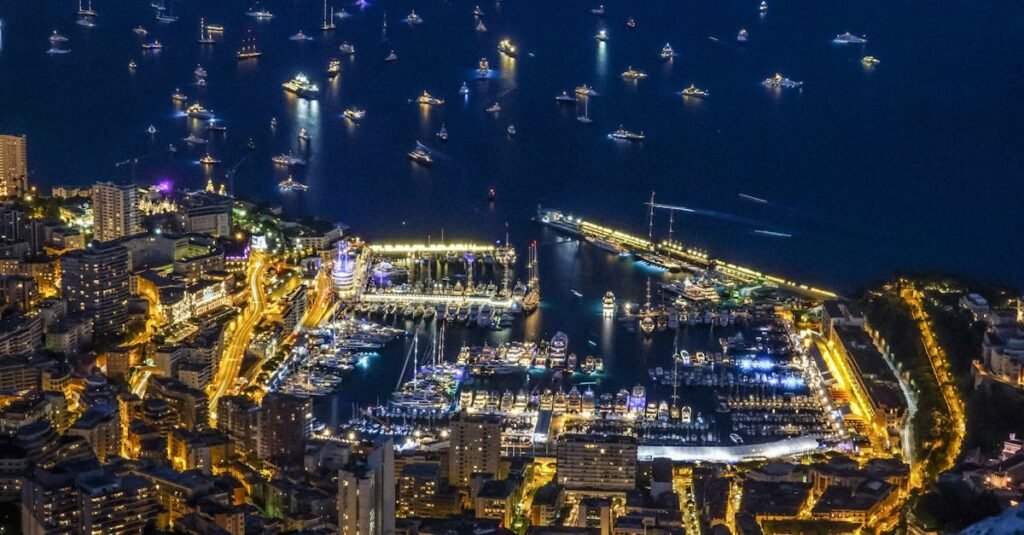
(477, 448)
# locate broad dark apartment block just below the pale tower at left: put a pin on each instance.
(96, 285)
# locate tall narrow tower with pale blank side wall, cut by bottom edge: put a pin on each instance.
(366, 495)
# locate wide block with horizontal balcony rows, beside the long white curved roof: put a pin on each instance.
(598, 463)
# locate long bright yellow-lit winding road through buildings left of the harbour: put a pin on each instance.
(238, 340)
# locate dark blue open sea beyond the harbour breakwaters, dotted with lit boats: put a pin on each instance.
(915, 164)
